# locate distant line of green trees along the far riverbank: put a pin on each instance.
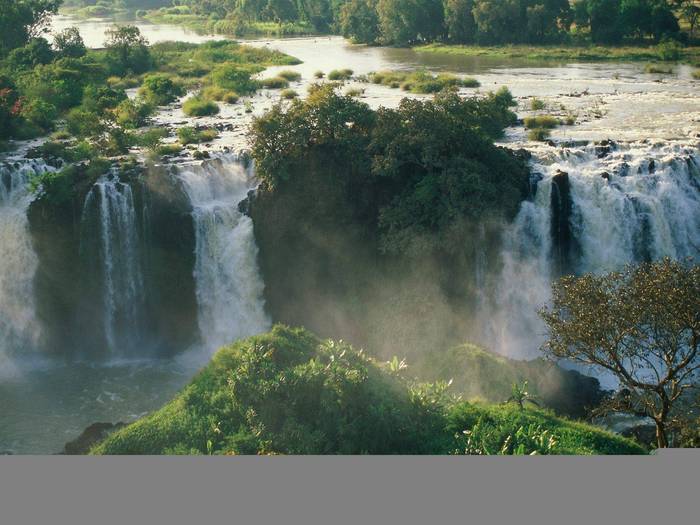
(458, 21)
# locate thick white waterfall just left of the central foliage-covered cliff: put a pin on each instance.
(228, 284)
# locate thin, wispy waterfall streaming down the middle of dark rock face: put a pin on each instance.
(110, 249)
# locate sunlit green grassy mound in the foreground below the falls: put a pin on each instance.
(287, 392)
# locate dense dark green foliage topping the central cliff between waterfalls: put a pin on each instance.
(410, 173)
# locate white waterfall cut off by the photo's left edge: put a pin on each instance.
(19, 328)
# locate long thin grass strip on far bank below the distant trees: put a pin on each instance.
(578, 53)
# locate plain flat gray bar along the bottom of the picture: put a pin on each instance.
(350, 490)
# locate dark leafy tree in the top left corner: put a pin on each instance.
(21, 20)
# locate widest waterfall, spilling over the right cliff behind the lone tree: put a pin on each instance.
(594, 209)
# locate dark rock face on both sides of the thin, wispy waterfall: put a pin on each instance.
(69, 296)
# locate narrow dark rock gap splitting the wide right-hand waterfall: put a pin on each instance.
(564, 246)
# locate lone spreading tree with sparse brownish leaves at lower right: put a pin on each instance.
(641, 324)
